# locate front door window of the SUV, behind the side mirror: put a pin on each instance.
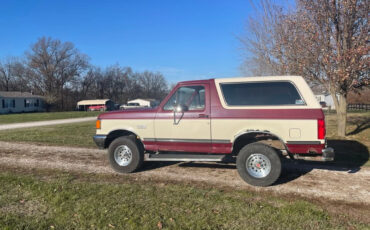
(191, 96)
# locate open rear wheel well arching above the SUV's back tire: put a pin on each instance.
(263, 137)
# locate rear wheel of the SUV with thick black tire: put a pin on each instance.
(263, 155)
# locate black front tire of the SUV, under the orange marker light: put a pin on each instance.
(137, 155)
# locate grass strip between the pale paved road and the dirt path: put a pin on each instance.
(75, 134)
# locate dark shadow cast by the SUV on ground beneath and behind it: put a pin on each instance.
(350, 156)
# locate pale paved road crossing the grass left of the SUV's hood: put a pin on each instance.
(44, 123)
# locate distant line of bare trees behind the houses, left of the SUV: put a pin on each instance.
(63, 75)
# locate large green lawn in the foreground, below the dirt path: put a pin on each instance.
(63, 201)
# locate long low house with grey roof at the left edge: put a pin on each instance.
(19, 102)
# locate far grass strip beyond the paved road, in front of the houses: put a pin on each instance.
(26, 117)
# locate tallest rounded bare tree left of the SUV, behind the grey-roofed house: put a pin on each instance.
(54, 66)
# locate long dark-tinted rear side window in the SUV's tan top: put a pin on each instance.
(258, 93)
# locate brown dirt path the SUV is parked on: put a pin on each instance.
(311, 180)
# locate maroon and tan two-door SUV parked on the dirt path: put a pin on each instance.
(255, 120)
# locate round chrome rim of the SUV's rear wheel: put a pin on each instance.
(258, 165)
